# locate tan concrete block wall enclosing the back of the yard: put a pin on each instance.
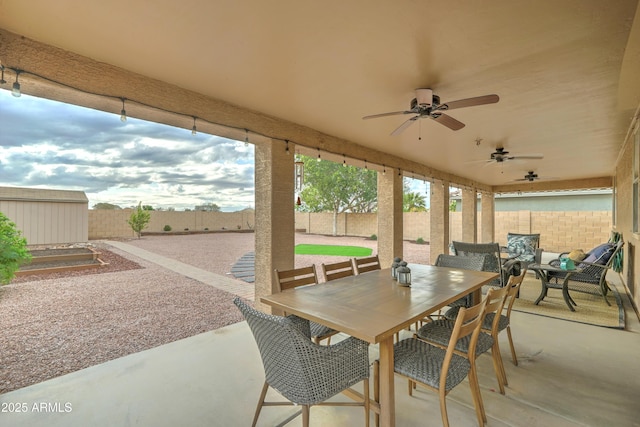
(560, 231)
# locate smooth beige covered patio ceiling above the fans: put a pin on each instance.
(565, 70)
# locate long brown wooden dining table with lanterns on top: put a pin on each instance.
(373, 307)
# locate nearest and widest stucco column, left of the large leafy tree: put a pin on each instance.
(275, 220)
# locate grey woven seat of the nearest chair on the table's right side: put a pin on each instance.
(423, 362)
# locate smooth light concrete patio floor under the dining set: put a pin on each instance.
(569, 374)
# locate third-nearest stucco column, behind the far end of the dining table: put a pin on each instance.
(439, 217)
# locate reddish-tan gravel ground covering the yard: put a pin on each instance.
(54, 324)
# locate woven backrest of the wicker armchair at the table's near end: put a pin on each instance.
(281, 342)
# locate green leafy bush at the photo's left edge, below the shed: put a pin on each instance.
(13, 250)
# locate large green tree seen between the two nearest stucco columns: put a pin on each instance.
(331, 187)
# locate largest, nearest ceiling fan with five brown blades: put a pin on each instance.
(426, 104)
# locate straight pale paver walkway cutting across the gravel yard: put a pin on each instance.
(221, 282)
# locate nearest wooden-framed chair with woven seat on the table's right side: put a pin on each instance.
(441, 369)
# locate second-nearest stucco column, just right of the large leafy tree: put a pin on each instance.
(390, 229)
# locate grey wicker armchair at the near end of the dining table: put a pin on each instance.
(305, 373)
